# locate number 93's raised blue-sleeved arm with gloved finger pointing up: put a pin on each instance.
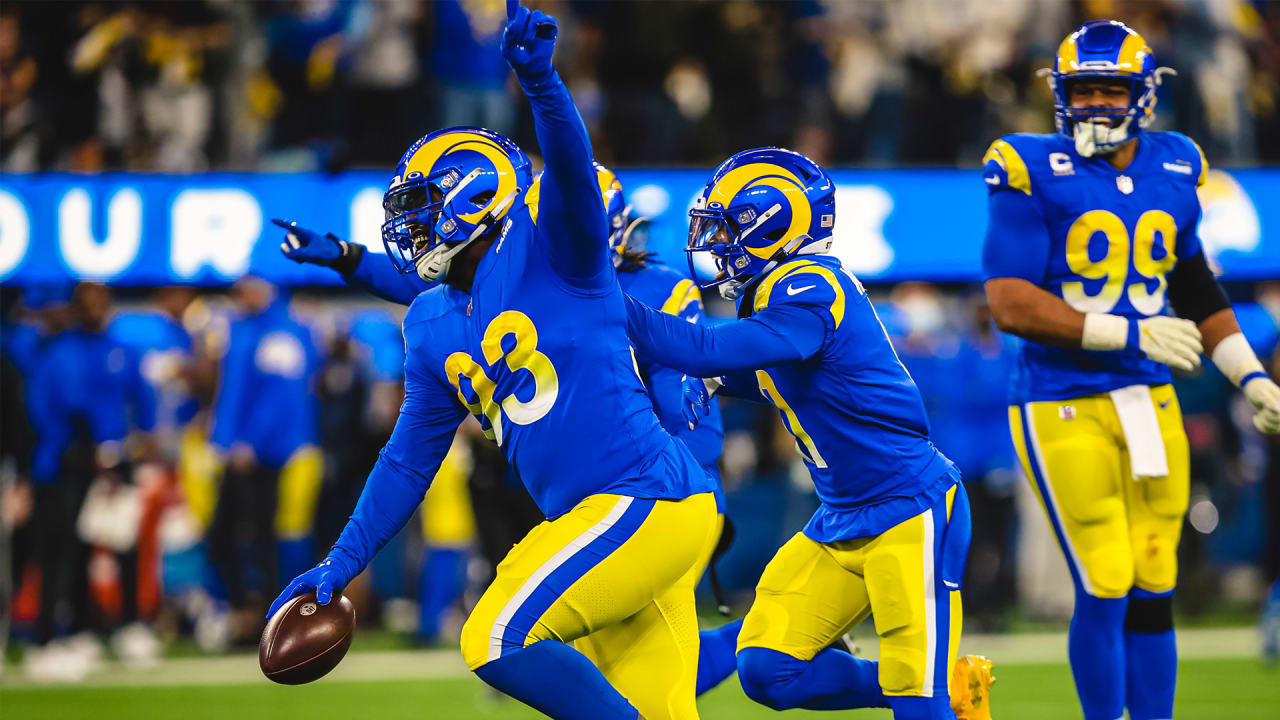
(573, 229)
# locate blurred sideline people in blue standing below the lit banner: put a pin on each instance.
(168, 463)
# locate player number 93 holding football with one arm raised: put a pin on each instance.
(528, 334)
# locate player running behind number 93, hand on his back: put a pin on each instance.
(892, 535)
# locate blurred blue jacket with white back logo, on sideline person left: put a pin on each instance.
(266, 395)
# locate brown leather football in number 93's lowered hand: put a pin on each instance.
(307, 640)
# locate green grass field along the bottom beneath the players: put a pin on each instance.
(1209, 690)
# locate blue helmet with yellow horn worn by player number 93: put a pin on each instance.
(450, 189)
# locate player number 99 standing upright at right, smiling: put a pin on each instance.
(1091, 239)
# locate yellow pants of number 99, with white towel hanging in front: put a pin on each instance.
(1117, 532)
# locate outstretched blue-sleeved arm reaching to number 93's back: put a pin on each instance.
(780, 335)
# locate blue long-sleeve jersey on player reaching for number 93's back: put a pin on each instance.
(820, 354)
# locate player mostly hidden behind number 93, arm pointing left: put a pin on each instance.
(643, 279)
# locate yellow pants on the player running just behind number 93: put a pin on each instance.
(812, 594)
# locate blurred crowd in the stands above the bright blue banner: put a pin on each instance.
(295, 85)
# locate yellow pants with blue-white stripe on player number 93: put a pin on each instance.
(620, 571)
